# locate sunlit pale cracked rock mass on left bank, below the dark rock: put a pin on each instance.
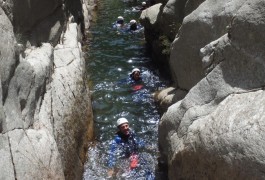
(48, 105)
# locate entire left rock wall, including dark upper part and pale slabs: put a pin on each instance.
(45, 109)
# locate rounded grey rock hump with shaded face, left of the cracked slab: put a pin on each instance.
(27, 87)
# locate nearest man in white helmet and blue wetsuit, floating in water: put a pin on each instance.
(124, 143)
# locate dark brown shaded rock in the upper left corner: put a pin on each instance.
(34, 24)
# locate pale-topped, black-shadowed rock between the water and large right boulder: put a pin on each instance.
(162, 22)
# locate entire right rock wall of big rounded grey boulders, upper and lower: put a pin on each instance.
(216, 130)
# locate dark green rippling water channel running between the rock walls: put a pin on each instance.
(111, 57)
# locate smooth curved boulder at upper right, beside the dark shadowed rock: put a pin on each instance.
(205, 24)
